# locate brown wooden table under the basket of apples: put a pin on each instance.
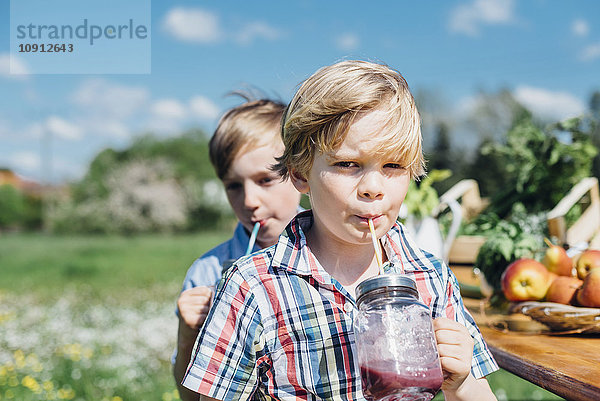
(568, 366)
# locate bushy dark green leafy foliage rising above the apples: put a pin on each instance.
(538, 167)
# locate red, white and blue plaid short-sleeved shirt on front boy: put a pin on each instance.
(281, 327)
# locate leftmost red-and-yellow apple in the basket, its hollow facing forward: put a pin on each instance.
(525, 280)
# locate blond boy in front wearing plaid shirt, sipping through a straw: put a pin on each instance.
(281, 323)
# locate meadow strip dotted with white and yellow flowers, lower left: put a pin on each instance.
(68, 350)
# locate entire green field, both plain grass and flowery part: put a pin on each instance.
(91, 317)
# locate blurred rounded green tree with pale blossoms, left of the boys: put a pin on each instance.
(153, 185)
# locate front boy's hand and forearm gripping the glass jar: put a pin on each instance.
(455, 346)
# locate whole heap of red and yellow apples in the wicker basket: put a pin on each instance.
(558, 278)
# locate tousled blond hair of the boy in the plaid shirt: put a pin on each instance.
(326, 104)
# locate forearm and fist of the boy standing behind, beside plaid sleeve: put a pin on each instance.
(193, 305)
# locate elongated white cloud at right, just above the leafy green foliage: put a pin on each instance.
(549, 104)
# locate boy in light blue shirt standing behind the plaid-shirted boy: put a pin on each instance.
(242, 150)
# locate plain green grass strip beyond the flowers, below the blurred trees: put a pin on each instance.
(103, 266)
